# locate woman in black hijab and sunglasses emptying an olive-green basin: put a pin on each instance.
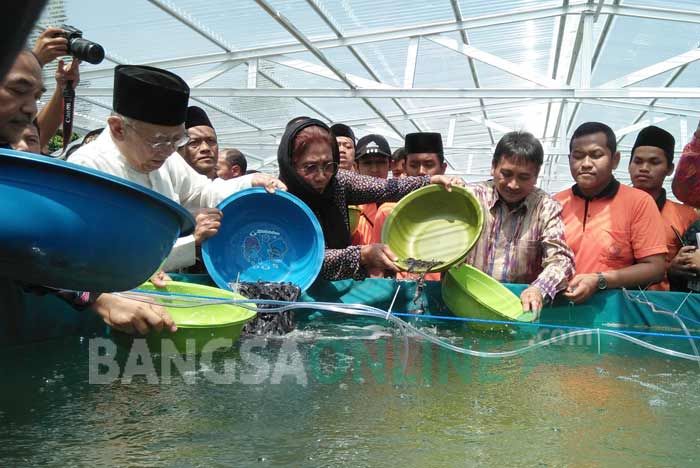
(308, 160)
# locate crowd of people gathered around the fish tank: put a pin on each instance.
(598, 234)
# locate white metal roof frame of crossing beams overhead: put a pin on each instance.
(564, 88)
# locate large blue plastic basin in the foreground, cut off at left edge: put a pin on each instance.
(71, 227)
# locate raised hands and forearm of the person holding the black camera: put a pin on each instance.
(51, 44)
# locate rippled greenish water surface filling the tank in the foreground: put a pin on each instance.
(350, 395)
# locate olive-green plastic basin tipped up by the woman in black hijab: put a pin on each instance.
(432, 224)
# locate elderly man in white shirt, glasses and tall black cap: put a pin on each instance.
(141, 138)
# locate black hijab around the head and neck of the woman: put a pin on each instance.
(331, 216)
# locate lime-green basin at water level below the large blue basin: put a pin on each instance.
(200, 324)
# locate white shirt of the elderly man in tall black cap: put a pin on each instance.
(175, 179)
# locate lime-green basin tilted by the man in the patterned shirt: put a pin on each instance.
(471, 293)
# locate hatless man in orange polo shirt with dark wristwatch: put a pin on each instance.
(612, 229)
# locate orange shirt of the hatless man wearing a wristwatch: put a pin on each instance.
(618, 230)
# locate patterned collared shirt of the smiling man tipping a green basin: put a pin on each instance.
(524, 244)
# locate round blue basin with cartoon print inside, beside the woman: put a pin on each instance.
(265, 237)
